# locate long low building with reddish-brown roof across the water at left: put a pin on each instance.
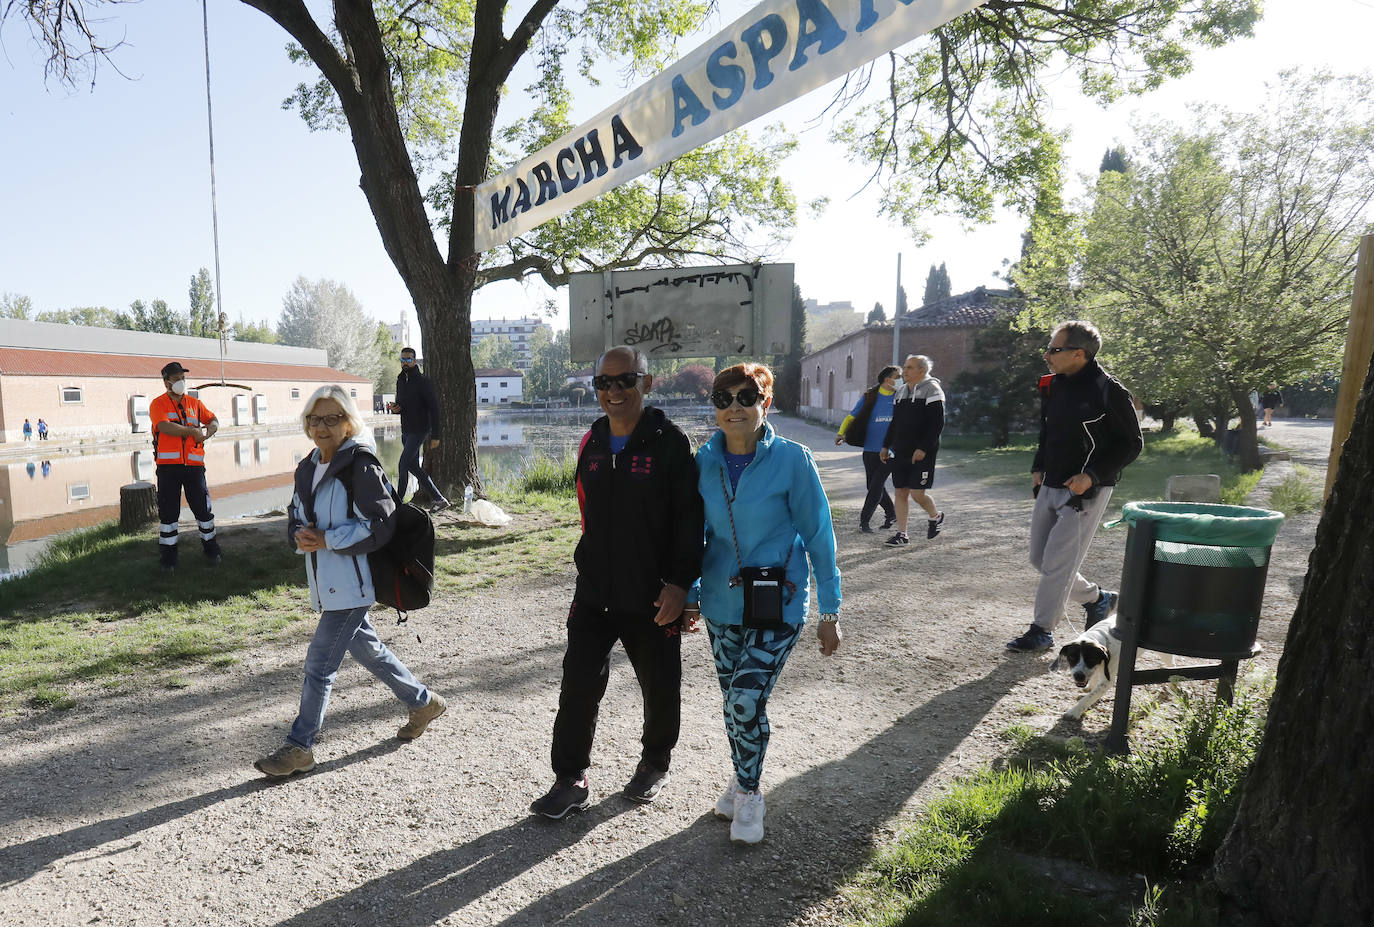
(97, 382)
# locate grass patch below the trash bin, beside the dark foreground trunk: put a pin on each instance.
(1160, 812)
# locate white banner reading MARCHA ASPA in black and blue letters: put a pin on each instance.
(778, 51)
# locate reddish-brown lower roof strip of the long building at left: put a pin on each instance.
(25, 362)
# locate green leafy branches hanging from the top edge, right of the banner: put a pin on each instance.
(962, 127)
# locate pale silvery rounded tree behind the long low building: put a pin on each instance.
(325, 314)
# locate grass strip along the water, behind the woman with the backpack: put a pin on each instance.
(95, 612)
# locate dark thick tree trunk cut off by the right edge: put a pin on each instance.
(1302, 849)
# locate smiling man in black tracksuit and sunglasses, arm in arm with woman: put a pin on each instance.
(640, 553)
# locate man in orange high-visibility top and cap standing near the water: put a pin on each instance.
(182, 425)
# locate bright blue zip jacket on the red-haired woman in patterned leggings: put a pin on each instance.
(780, 509)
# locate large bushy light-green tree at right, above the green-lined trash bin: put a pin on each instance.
(1222, 259)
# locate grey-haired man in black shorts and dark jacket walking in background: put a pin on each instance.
(913, 442)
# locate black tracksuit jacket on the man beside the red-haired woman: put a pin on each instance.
(642, 517)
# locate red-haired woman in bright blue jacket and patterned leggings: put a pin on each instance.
(765, 509)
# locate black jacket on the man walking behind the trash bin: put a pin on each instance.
(1088, 425)
